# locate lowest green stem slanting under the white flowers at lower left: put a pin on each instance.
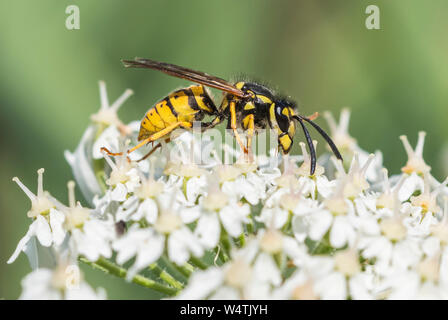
(113, 269)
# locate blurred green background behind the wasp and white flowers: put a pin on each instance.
(395, 80)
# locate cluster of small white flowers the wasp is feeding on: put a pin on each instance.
(248, 230)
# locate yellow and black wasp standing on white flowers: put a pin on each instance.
(246, 105)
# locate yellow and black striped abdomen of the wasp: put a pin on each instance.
(184, 105)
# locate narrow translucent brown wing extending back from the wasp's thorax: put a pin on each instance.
(185, 73)
